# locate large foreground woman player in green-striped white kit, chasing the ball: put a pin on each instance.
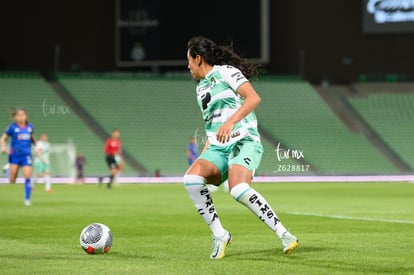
(227, 101)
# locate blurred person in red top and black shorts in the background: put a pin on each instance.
(113, 157)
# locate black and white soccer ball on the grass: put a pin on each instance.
(96, 238)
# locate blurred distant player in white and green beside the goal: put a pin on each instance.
(41, 163)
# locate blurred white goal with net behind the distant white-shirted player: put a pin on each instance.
(62, 159)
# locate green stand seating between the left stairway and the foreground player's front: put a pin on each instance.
(156, 115)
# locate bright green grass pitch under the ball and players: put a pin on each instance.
(343, 227)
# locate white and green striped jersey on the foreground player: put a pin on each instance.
(218, 99)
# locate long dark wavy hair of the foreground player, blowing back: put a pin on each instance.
(215, 54)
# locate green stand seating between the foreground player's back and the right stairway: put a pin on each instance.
(295, 114)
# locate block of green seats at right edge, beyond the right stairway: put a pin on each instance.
(391, 115)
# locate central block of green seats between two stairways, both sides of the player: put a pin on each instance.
(145, 108)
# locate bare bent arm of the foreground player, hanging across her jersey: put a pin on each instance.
(252, 100)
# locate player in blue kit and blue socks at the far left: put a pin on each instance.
(20, 155)
